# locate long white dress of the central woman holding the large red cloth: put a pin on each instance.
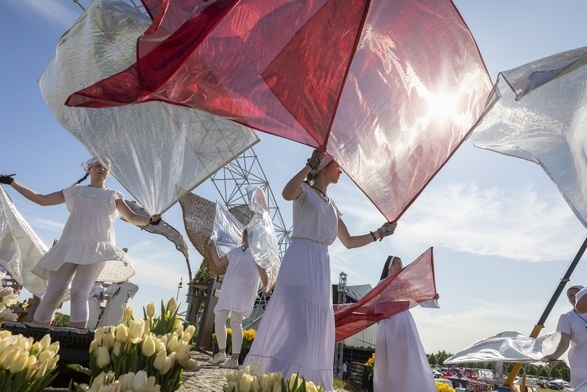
(296, 334)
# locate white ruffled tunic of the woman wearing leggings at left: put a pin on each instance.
(88, 236)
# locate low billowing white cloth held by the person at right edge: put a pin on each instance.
(508, 346)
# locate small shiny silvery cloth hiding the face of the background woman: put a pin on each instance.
(227, 233)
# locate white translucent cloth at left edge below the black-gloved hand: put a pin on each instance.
(20, 247)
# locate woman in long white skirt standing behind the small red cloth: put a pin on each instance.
(400, 360)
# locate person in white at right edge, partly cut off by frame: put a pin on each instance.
(573, 329)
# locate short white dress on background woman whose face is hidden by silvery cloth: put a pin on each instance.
(239, 288)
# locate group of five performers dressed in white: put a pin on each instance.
(297, 331)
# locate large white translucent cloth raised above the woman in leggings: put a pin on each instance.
(158, 152)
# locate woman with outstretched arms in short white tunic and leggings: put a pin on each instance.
(86, 251)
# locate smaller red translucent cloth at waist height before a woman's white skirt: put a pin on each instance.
(410, 287)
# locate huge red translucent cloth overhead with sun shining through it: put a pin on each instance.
(389, 88)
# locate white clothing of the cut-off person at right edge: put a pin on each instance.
(575, 324)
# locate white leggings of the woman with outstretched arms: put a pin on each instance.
(82, 278)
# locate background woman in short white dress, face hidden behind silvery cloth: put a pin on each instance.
(236, 300)
